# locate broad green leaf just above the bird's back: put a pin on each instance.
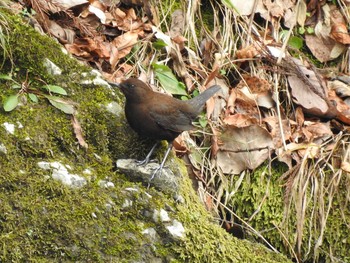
(168, 80)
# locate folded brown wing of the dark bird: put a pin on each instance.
(173, 120)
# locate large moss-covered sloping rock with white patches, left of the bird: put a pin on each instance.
(108, 218)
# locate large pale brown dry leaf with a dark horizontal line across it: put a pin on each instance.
(243, 148)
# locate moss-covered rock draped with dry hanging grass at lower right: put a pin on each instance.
(269, 205)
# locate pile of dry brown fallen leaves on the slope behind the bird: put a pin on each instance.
(280, 108)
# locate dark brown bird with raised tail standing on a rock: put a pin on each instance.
(159, 116)
